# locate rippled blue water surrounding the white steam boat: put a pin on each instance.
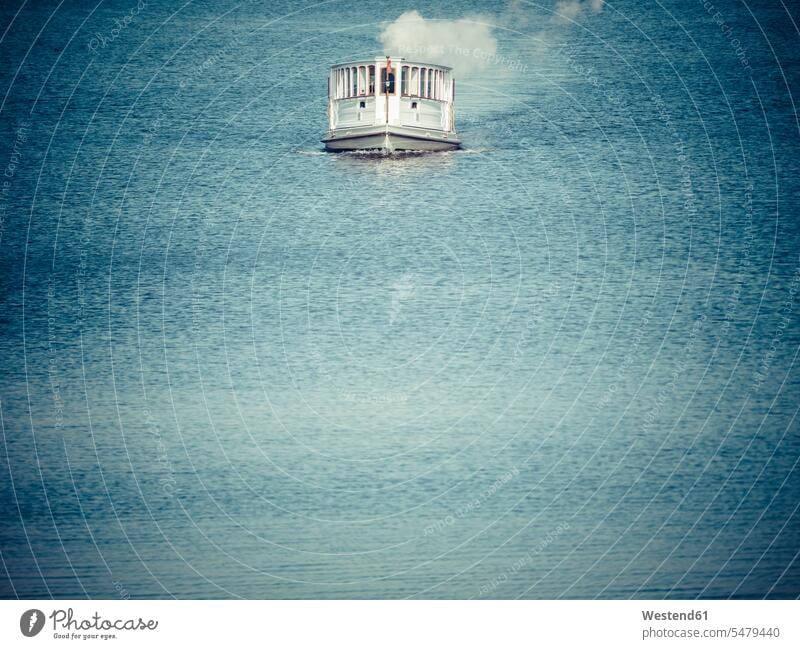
(559, 363)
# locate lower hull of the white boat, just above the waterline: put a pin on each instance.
(391, 138)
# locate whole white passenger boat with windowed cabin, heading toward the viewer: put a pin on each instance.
(391, 104)
